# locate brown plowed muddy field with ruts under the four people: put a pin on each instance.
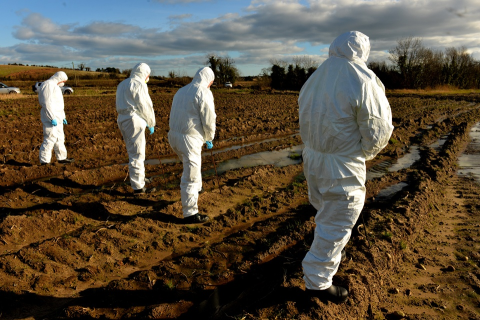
(76, 243)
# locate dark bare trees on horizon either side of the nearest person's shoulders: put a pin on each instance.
(413, 66)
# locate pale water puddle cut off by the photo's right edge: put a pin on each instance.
(469, 161)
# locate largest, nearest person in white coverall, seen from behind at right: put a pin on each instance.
(345, 120)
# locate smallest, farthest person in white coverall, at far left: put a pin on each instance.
(53, 118)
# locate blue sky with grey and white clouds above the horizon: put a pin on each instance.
(176, 35)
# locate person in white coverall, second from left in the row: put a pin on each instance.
(135, 114)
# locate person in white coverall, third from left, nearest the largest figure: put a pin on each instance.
(192, 123)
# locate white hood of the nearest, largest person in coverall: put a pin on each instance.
(352, 45)
